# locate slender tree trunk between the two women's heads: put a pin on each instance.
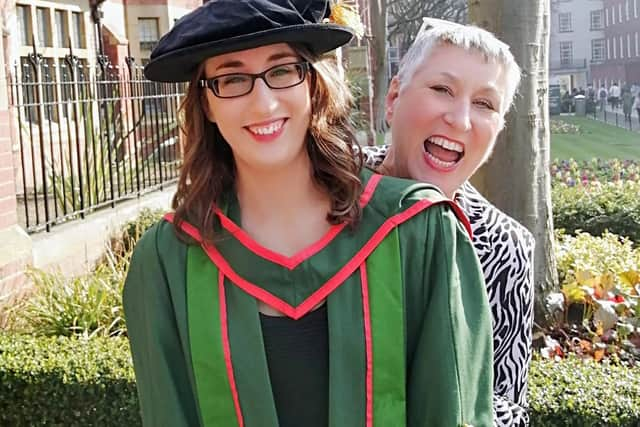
(378, 55)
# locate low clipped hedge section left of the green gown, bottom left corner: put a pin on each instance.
(70, 382)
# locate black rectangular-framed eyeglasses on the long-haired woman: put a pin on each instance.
(281, 76)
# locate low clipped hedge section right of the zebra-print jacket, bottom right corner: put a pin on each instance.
(573, 392)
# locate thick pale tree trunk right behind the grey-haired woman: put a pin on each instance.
(516, 178)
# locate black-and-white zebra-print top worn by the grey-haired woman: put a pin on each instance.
(505, 249)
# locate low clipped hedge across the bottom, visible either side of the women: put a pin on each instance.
(73, 382)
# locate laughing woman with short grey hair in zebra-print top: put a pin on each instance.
(446, 108)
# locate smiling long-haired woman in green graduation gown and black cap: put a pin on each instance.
(290, 287)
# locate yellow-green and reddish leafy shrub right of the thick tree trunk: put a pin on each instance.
(597, 312)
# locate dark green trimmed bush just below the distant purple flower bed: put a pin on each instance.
(613, 206)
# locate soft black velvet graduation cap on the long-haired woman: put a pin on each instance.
(223, 26)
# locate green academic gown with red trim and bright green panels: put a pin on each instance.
(408, 317)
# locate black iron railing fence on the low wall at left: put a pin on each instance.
(89, 136)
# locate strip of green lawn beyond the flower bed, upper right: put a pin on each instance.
(596, 139)
